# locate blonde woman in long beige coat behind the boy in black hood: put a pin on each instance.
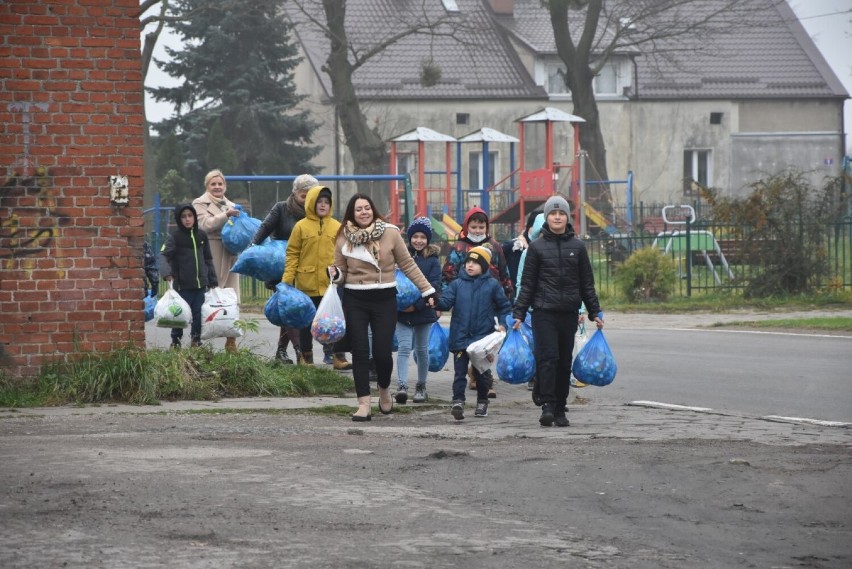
(213, 210)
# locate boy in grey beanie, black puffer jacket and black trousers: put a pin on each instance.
(557, 278)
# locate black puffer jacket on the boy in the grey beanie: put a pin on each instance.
(557, 276)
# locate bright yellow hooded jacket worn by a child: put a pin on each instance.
(310, 249)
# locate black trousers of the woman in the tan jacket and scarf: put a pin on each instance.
(375, 310)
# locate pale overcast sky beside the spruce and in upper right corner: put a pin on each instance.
(829, 22)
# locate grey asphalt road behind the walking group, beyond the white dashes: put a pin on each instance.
(689, 360)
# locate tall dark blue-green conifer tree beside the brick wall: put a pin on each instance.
(236, 68)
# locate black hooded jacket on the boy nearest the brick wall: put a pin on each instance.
(186, 256)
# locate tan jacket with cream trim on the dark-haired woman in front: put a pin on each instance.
(359, 270)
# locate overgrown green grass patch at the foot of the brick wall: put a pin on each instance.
(146, 377)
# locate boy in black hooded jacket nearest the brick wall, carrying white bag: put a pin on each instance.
(185, 258)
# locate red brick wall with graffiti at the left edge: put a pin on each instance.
(71, 106)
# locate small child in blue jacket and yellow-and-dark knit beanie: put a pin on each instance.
(476, 298)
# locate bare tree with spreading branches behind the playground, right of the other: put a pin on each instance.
(588, 32)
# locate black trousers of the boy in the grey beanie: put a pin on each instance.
(554, 344)
